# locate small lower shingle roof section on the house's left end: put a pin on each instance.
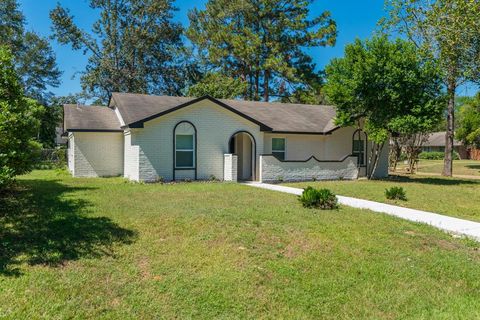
(89, 118)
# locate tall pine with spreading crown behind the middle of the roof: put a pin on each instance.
(260, 42)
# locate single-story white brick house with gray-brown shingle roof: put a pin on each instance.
(151, 138)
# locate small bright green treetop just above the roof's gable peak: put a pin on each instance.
(218, 86)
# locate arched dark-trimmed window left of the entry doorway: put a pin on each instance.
(185, 145)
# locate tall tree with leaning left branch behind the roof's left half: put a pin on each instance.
(134, 47)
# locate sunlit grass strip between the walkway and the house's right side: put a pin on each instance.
(450, 196)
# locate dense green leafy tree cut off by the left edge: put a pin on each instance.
(19, 122)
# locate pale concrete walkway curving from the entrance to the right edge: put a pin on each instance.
(452, 225)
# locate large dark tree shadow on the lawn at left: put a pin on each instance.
(40, 225)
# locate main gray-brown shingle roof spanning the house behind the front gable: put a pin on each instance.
(277, 117)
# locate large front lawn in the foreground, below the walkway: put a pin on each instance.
(105, 248)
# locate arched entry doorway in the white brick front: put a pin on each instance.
(243, 144)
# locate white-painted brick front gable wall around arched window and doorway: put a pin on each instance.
(215, 125)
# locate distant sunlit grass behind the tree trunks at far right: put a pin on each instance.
(460, 167)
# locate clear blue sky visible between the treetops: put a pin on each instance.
(354, 18)
